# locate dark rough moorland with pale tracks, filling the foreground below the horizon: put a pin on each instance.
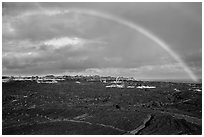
(91, 108)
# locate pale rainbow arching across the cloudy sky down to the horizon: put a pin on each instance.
(126, 23)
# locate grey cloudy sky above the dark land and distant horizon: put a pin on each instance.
(100, 39)
